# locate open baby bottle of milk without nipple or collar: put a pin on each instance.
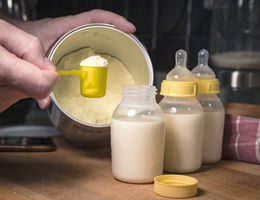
(137, 136)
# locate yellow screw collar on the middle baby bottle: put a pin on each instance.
(178, 88)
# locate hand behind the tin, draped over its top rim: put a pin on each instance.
(49, 30)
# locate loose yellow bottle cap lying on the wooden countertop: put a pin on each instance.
(176, 186)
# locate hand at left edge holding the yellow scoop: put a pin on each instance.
(24, 70)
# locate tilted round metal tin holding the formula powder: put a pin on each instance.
(107, 39)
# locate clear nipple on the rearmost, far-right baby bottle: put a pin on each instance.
(202, 70)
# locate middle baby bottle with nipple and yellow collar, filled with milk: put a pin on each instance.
(184, 119)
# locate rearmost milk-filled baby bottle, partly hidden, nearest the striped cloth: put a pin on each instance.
(208, 88)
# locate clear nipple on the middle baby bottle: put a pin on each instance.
(180, 71)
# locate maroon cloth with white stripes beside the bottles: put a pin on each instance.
(242, 139)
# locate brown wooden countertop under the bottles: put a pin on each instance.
(72, 173)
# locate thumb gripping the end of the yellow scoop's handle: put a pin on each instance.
(26, 77)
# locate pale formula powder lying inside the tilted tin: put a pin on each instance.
(90, 110)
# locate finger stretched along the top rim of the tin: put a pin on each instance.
(102, 16)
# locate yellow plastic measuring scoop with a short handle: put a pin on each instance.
(92, 80)
